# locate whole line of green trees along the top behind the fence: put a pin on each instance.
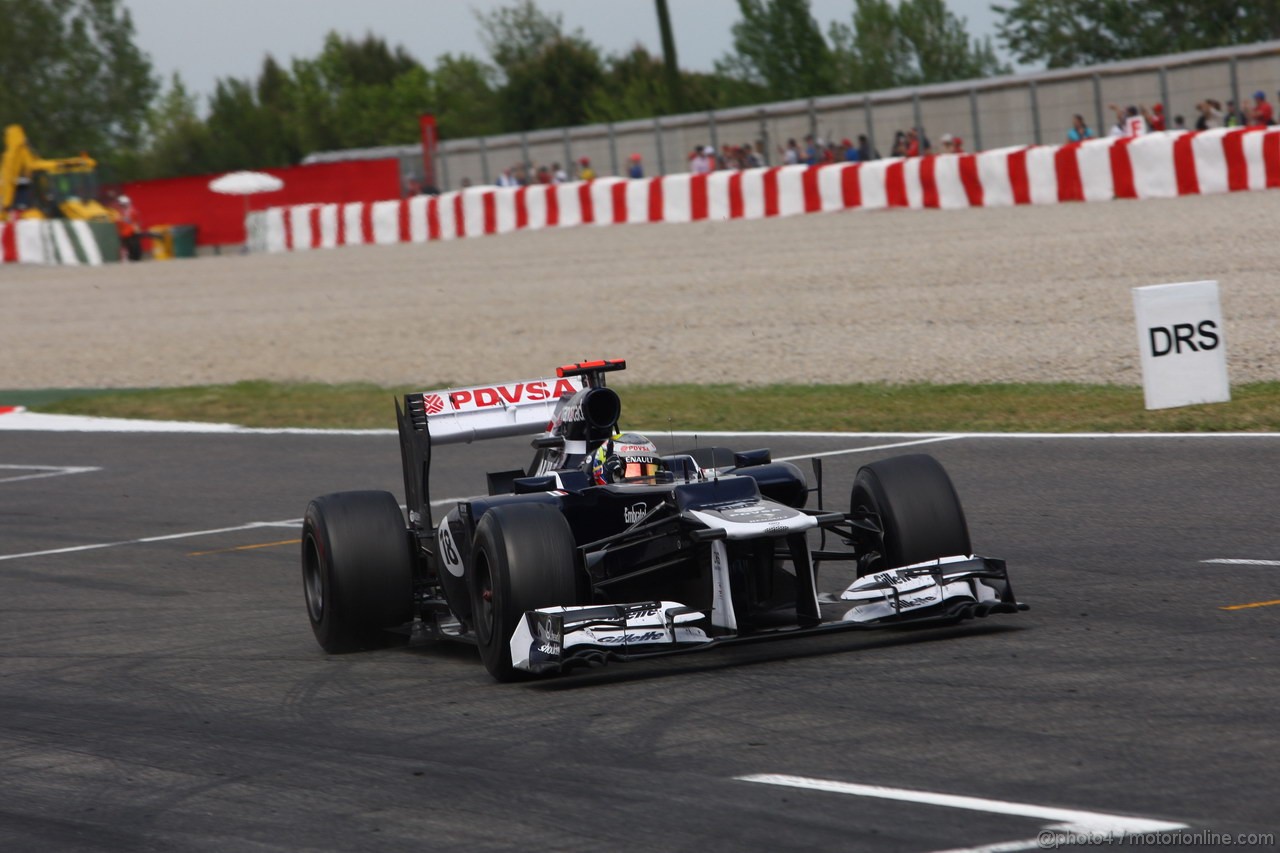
(77, 81)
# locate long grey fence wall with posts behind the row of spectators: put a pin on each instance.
(993, 113)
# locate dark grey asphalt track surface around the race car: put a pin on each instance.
(164, 692)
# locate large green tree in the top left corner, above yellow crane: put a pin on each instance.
(74, 77)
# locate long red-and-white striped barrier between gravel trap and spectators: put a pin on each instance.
(1156, 166)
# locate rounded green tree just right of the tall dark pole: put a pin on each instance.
(780, 47)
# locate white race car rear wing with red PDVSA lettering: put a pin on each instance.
(463, 416)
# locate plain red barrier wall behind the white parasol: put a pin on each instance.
(221, 220)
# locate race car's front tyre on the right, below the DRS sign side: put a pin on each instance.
(918, 508)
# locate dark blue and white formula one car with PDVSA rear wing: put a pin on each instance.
(602, 550)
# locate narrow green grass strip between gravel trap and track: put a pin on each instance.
(858, 408)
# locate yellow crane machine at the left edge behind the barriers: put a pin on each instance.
(33, 188)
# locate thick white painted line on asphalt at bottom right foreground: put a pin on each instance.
(1067, 820)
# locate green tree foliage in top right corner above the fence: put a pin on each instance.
(1064, 34)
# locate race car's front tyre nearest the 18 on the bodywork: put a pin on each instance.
(523, 560)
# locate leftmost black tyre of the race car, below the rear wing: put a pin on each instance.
(358, 572)
